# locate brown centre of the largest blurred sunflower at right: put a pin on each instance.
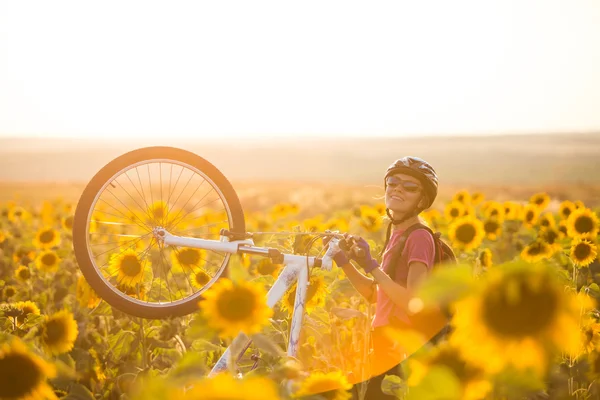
(520, 311)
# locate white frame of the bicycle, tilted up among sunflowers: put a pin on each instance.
(295, 268)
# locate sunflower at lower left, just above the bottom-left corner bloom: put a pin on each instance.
(59, 332)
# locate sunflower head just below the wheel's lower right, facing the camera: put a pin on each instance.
(231, 308)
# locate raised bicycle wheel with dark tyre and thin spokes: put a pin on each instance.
(113, 230)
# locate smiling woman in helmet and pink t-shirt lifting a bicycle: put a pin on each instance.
(411, 186)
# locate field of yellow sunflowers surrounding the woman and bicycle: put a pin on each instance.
(523, 296)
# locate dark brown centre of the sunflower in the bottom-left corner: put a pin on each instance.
(19, 376)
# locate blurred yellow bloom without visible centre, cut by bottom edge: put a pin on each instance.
(224, 386)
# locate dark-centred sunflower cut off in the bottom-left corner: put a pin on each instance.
(23, 375)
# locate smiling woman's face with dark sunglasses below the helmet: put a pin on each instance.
(403, 193)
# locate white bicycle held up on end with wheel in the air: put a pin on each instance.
(166, 224)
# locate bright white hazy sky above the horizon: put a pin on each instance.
(188, 69)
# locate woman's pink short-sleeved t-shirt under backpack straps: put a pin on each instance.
(418, 247)
